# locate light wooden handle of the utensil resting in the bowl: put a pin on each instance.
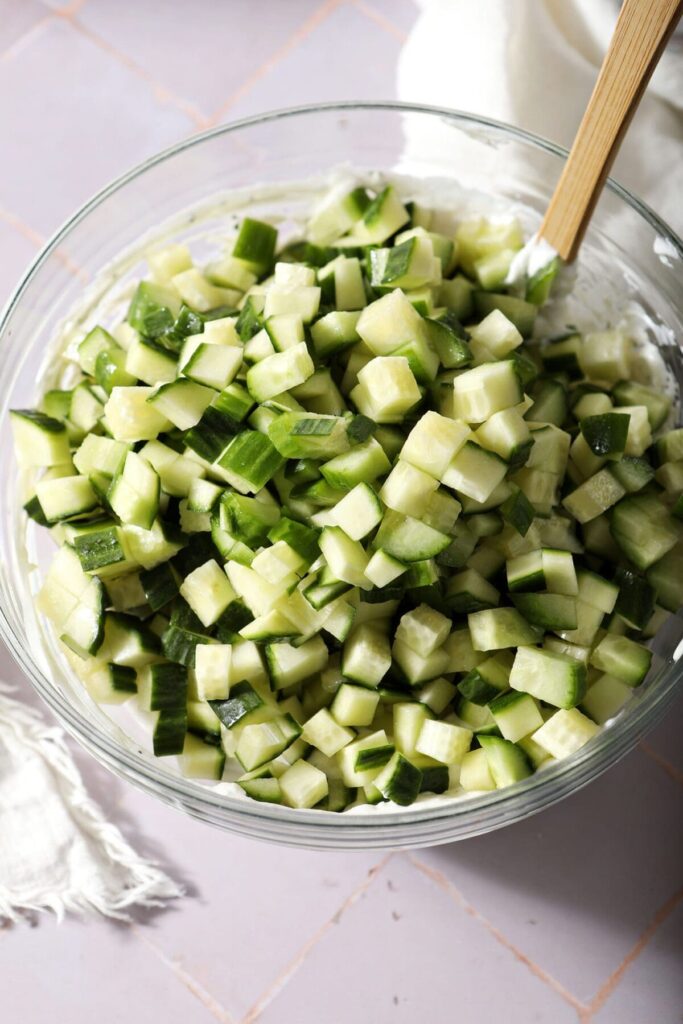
(641, 36)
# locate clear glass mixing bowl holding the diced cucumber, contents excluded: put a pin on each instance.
(629, 254)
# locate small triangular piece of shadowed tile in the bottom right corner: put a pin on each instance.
(652, 988)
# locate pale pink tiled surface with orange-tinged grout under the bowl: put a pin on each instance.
(569, 917)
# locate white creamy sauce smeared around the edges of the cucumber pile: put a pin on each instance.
(206, 230)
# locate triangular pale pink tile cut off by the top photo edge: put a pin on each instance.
(203, 53)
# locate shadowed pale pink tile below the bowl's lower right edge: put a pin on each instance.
(575, 886)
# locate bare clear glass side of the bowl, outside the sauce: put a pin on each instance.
(97, 234)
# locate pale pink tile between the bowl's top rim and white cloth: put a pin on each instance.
(348, 57)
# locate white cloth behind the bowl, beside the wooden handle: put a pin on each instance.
(534, 64)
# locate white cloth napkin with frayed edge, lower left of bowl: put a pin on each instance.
(58, 852)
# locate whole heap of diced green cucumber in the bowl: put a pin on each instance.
(366, 467)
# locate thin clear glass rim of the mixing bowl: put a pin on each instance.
(513, 802)
